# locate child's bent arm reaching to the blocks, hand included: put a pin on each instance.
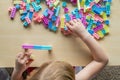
(98, 54)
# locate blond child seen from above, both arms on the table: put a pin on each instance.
(59, 70)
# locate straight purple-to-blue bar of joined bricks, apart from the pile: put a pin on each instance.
(37, 47)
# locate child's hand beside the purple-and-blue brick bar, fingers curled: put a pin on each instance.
(23, 61)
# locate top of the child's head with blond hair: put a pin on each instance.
(55, 71)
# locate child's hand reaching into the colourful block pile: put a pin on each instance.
(77, 28)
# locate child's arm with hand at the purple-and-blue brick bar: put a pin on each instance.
(22, 63)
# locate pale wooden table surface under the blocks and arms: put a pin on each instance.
(69, 49)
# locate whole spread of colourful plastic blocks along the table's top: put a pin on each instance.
(92, 13)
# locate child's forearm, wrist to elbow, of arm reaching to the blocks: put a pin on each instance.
(96, 50)
